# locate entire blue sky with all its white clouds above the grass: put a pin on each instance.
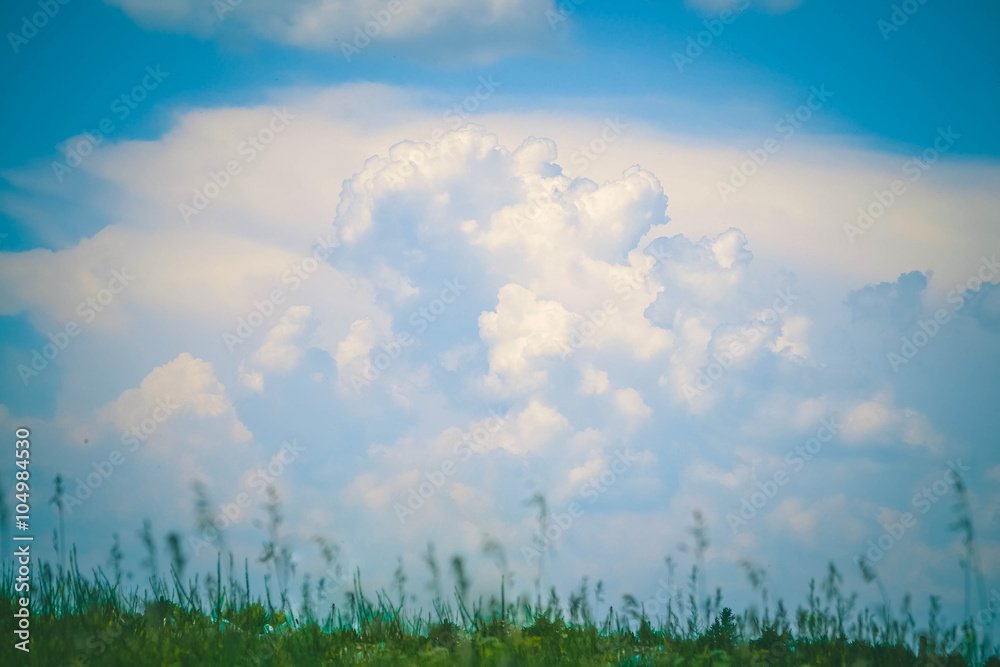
(656, 232)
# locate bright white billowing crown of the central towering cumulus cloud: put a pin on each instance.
(565, 248)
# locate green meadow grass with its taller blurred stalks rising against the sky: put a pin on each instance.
(95, 619)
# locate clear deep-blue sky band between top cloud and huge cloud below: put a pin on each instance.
(936, 70)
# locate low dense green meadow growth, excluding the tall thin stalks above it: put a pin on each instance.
(90, 621)
